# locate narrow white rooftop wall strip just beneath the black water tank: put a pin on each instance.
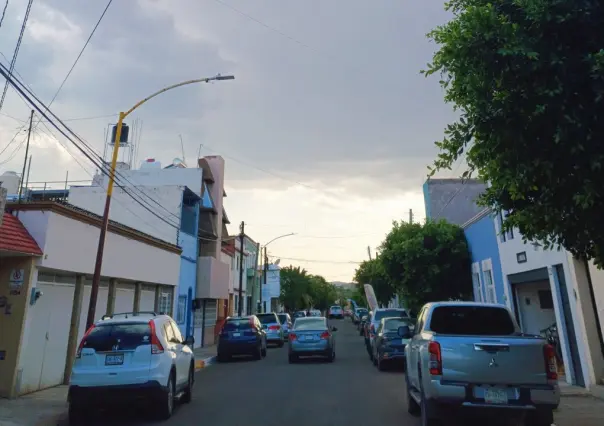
(192, 178)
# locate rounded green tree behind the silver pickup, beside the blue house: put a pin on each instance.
(427, 263)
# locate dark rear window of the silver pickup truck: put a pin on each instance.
(472, 321)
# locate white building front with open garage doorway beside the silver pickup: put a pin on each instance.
(549, 287)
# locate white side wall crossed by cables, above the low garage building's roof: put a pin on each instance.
(129, 212)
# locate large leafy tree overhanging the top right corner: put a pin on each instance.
(527, 78)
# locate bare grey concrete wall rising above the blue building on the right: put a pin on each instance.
(452, 199)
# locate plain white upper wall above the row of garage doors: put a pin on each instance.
(71, 245)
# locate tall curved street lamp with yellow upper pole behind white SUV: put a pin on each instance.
(96, 279)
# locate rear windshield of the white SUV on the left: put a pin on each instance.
(106, 337)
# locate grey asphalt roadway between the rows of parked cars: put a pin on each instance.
(274, 392)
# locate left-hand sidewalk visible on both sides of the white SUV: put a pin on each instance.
(48, 407)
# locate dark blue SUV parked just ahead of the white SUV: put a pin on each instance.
(241, 336)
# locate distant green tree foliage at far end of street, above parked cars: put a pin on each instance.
(301, 290)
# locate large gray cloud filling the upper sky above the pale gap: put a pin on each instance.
(344, 106)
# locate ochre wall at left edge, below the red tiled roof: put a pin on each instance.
(12, 319)
